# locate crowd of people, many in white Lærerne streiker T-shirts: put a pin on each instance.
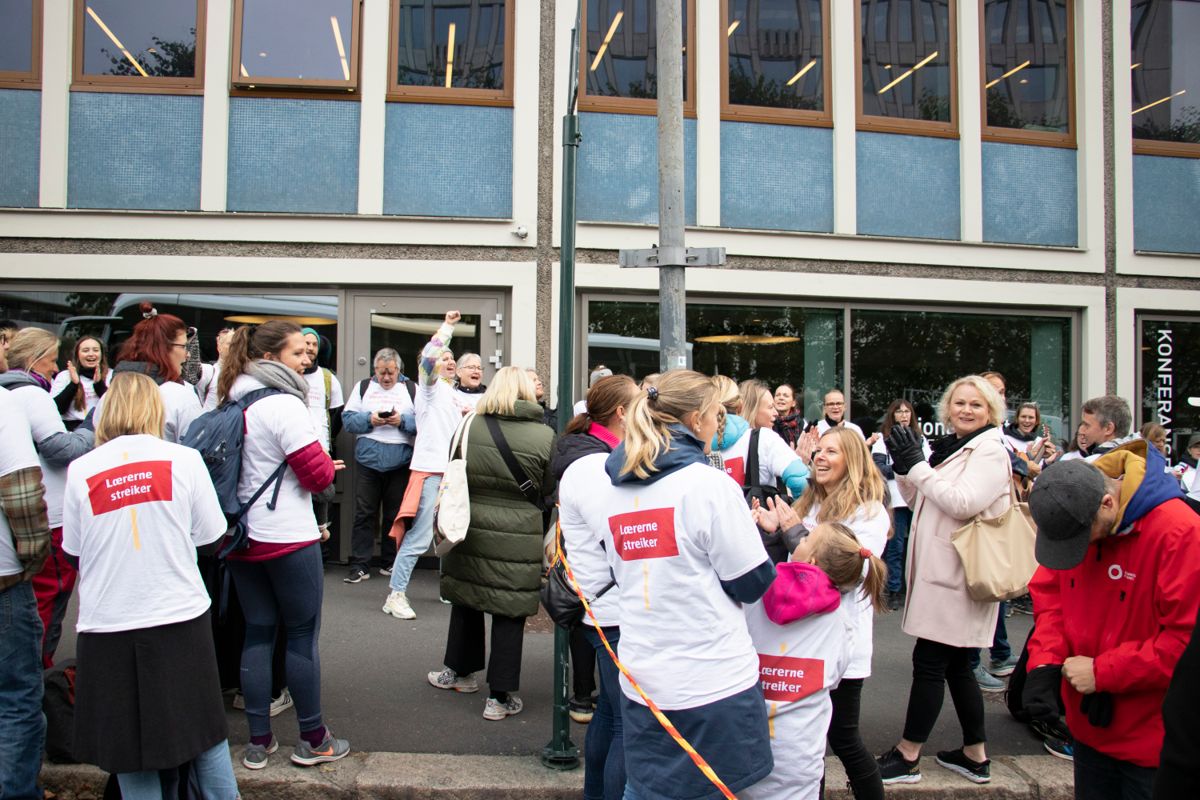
(734, 555)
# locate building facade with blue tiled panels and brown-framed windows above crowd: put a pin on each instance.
(908, 190)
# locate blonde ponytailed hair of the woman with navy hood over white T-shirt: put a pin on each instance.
(679, 394)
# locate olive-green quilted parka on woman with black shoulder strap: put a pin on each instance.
(497, 569)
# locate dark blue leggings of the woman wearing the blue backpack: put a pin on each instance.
(290, 590)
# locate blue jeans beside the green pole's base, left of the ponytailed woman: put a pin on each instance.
(604, 749)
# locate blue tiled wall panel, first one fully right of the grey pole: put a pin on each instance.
(777, 177)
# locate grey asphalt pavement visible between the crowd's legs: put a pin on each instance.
(375, 690)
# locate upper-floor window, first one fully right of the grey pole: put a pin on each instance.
(776, 58)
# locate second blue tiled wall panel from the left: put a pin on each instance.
(135, 152)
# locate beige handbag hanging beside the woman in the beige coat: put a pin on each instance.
(998, 554)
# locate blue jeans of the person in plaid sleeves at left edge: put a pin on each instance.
(22, 723)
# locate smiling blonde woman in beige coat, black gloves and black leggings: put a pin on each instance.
(968, 474)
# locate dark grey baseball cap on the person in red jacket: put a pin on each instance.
(1064, 503)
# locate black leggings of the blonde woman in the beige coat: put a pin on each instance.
(934, 665)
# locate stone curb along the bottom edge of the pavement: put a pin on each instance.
(422, 777)
